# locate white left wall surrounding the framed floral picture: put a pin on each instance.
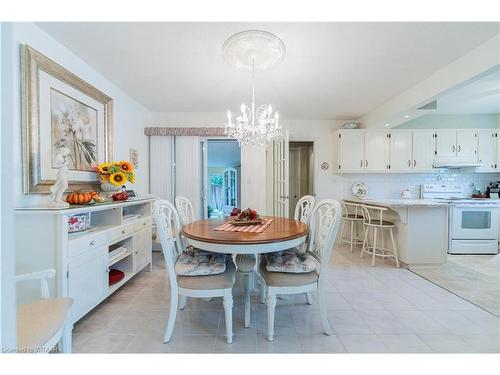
(129, 117)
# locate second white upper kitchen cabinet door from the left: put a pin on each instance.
(377, 151)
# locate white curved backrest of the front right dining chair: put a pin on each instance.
(325, 220)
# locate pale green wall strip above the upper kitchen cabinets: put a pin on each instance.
(453, 122)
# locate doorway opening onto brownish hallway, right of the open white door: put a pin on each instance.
(301, 172)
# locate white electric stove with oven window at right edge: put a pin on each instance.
(473, 223)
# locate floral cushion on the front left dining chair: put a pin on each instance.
(197, 262)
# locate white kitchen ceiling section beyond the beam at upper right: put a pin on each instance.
(479, 96)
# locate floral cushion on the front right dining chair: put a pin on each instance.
(291, 261)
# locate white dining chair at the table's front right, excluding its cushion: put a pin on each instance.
(325, 220)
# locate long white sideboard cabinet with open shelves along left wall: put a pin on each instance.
(83, 260)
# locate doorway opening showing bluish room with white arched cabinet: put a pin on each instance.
(222, 183)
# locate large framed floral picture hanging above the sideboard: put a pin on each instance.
(60, 110)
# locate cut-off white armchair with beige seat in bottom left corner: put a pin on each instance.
(44, 323)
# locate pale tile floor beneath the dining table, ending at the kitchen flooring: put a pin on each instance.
(372, 310)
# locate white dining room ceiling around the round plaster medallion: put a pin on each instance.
(331, 70)
